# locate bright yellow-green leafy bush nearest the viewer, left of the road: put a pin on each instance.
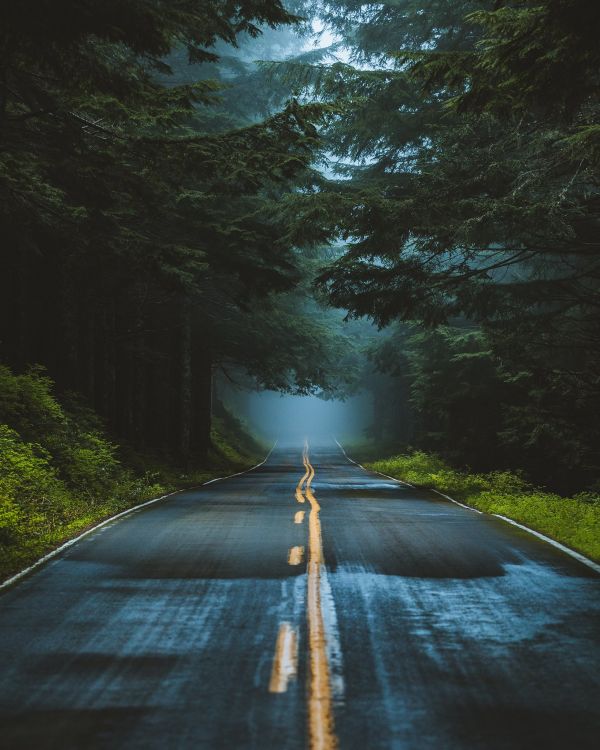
(58, 471)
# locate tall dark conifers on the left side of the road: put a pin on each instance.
(139, 221)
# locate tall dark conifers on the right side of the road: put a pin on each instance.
(473, 205)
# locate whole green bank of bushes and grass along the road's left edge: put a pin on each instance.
(61, 473)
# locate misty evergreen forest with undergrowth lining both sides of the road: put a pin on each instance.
(398, 198)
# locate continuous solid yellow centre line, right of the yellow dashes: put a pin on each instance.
(321, 729)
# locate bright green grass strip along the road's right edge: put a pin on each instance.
(572, 521)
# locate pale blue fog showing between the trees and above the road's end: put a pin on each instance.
(269, 414)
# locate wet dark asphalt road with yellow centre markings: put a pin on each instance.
(305, 604)
